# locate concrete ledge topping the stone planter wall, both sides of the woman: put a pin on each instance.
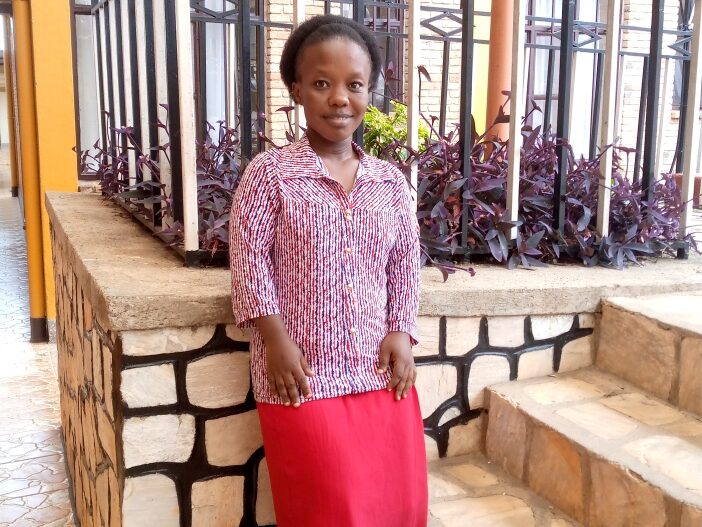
(134, 282)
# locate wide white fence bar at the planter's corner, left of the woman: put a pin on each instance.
(186, 115)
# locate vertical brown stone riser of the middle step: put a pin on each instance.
(641, 501)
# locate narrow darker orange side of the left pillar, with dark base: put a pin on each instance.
(30, 168)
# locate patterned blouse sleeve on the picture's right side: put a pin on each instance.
(403, 266)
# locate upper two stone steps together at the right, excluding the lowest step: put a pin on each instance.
(618, 443)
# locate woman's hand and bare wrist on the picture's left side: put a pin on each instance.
(286, 365)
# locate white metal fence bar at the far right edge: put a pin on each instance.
(692, 125)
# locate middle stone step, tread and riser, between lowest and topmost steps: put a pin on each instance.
(599, 448)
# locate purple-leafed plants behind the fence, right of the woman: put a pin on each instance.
(448, 199)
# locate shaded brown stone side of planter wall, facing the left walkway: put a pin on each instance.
(90, 409)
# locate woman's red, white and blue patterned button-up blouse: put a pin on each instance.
(341, 270)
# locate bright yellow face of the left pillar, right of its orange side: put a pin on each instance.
(52, 42)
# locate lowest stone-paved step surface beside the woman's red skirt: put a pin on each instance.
(471, 491)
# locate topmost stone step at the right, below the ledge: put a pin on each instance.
(655, 343)
